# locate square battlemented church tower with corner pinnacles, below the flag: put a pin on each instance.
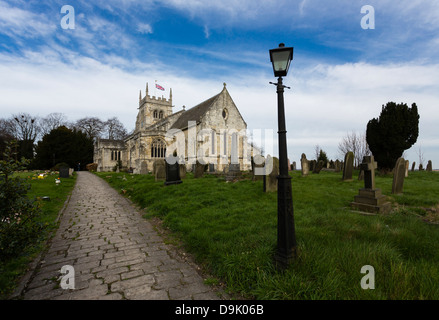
(152, 109)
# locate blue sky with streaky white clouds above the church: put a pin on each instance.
(341, 74)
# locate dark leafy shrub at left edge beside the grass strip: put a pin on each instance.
(18, 226)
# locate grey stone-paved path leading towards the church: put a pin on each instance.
(115, 253)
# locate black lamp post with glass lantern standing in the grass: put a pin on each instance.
(286, 235)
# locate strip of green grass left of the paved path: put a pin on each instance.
(12, 270)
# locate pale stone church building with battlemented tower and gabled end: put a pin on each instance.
(212, 132)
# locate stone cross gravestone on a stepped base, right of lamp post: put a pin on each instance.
(370, 198)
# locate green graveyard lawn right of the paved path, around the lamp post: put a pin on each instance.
(231, 229)
